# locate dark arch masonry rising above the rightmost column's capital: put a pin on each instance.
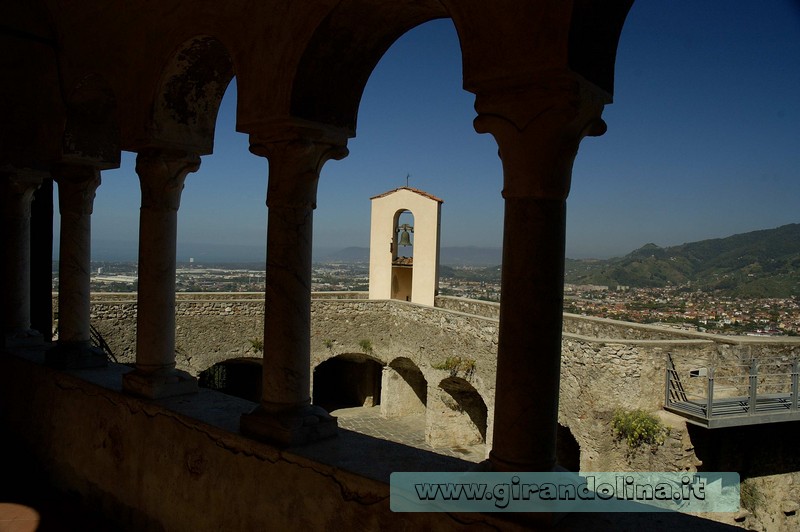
(528, 38)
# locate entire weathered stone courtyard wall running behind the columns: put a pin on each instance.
(606, 365)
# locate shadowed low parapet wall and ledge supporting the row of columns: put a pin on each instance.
(180, 464)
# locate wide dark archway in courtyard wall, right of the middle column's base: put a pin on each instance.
(346, 381)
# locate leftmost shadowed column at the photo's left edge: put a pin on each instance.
(18, 188)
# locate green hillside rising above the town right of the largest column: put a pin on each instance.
(757, 264)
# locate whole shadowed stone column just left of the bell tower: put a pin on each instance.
(285, 415)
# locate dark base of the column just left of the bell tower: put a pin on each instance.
(289, 428)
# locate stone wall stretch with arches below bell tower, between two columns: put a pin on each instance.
(397, 333)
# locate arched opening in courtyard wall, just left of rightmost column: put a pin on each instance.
(457, 415)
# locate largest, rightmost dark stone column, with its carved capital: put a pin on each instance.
(538, 130)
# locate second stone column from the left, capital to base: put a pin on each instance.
(76, 190)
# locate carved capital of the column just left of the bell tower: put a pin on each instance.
(296, 150)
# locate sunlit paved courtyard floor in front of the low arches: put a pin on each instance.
(408, 430)
